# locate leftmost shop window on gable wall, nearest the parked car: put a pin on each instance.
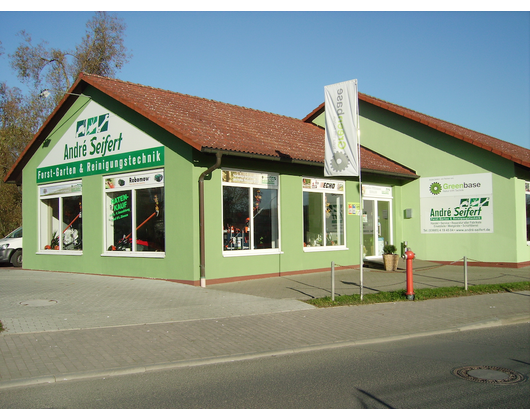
(61, 221)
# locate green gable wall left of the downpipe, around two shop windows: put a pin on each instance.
(180, 201)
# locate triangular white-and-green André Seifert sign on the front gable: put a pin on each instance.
(99, 142)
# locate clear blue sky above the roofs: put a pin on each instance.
(468, 68)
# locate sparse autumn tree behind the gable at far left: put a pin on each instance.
(101, 51)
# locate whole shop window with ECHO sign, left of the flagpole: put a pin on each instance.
(323, 213)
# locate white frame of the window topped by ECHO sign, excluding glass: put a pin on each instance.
(323, 187)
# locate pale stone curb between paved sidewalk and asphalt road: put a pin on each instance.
(102, 374)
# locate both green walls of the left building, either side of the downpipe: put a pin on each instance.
(183, 167)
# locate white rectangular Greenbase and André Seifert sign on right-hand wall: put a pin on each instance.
(457, 204)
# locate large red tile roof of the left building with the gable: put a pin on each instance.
(209, 125)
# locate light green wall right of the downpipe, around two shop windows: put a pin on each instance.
(292, 256)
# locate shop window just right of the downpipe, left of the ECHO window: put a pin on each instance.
(250, 211)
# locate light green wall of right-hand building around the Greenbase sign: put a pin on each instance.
(431, 153)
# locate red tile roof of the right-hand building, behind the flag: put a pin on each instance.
(502, 148)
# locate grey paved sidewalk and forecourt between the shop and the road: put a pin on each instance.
(63, 326)
